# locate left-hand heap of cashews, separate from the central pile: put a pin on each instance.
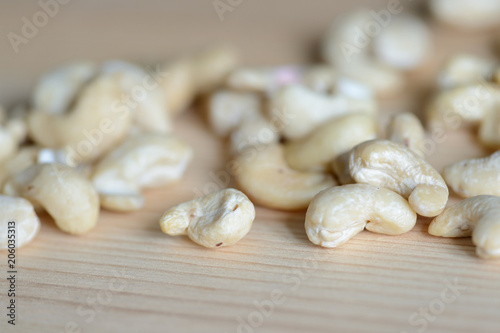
(95, 135)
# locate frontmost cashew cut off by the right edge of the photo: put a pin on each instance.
(476, 216)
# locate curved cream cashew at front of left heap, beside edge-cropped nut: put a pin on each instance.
(64, 193)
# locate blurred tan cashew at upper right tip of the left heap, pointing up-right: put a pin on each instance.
(184, 78)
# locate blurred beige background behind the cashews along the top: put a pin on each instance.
(265, 32)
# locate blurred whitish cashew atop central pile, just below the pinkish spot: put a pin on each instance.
(300, 110)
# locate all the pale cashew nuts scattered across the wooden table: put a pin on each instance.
(300, 137)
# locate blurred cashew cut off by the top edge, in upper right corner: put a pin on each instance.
(466, 14)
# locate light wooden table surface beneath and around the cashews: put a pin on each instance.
(127, 276)
